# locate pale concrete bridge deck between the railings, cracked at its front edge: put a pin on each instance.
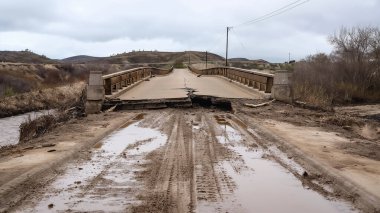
(174, 84)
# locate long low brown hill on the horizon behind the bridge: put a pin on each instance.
(149, 57)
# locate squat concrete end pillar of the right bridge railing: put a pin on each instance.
(282, 88)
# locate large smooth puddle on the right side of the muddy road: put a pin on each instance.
(262, 185)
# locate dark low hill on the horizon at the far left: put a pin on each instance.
(24, 57)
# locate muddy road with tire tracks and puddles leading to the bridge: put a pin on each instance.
(193, 160)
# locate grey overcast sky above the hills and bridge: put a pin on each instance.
(64, 28)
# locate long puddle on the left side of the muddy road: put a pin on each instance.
(107, 180)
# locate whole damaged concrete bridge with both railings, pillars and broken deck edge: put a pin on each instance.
(148, 87)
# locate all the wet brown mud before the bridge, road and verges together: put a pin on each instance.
(210, 160)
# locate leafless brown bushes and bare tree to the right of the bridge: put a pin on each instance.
(350, 74)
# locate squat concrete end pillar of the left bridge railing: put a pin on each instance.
(95, 93)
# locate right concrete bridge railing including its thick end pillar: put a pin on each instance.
(278, 84)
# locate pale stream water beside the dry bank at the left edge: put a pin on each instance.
(9, 131)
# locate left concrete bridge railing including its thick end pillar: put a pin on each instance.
(100, 85)
